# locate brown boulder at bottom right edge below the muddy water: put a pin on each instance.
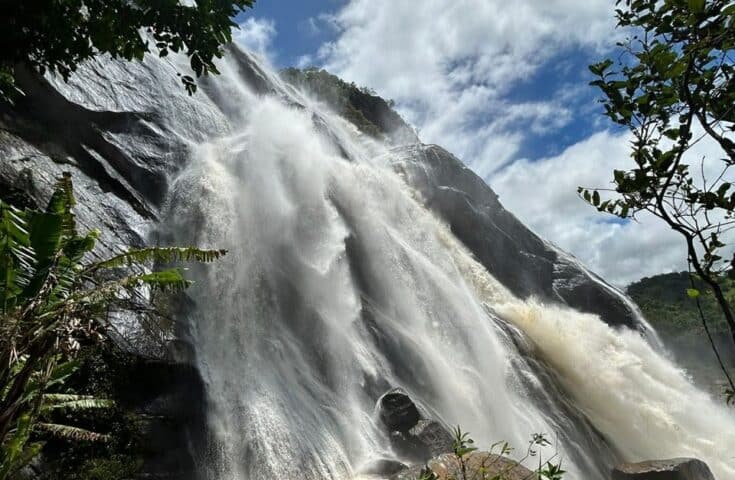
(672, 469)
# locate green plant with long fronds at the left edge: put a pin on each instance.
(53, 300)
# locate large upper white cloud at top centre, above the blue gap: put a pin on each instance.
(448, 66)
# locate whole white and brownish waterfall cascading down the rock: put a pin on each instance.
(340, 284)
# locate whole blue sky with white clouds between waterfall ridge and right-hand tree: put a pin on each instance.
(501, 84)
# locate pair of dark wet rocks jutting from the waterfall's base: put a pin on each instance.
(411, 434)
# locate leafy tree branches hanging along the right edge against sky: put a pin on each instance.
(672, 85)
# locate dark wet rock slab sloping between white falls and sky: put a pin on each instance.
(523, 262)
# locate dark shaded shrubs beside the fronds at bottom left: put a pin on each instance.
(104, 371)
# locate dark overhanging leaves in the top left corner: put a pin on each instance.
(58, 35)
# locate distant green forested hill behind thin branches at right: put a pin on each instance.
(664, 302)
